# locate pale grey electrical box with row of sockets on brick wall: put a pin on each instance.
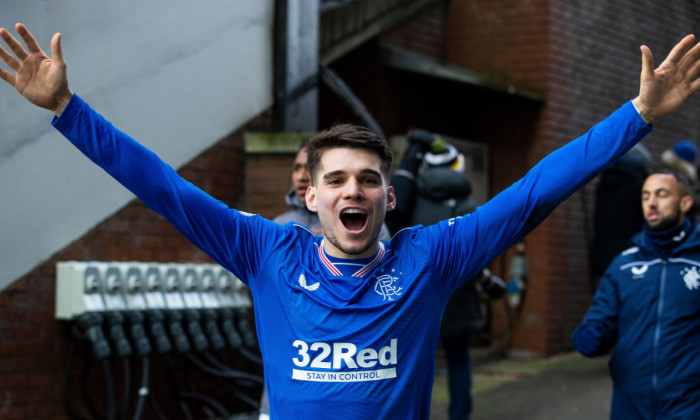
(96, 286)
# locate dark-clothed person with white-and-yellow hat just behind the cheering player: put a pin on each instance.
(439, 192)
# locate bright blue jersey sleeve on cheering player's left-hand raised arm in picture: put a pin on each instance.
(222, 233)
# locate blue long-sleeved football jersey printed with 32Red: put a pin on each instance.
(353, 343)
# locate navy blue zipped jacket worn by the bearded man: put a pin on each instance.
(648, 308)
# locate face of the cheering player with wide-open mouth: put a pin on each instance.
(351, 197)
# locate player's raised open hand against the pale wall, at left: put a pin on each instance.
(40, 79)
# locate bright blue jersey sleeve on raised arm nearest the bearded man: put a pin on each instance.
(464, 245)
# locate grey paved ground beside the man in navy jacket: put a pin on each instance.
(566, 386)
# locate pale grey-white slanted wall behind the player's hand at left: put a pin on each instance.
(177, 76)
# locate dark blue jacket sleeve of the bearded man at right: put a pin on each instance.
(598, 332)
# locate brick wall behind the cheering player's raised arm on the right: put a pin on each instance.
(584, 56)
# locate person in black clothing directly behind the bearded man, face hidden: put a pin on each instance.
(617, 215)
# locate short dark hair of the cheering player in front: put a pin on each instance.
(352, 136)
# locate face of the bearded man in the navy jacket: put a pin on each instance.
(665, 201)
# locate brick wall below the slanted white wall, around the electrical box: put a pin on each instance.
(34, 346)
